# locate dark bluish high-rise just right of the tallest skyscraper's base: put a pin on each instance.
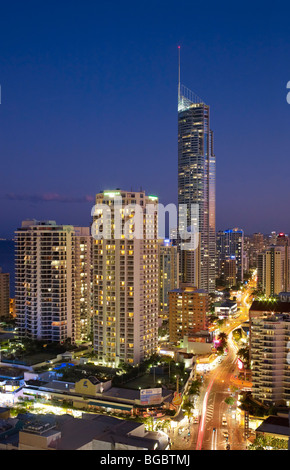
(230, 246)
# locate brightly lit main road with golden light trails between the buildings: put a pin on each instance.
(218, 426)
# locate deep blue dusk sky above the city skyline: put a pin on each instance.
(89, 102)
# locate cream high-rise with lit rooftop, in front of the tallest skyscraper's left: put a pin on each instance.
(126, 272)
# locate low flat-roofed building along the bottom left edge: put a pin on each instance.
(91, 432)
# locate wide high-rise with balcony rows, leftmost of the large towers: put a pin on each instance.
(48, 281)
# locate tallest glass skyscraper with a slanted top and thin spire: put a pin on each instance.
(196, 185)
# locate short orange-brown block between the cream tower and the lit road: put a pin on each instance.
(188, 308)
